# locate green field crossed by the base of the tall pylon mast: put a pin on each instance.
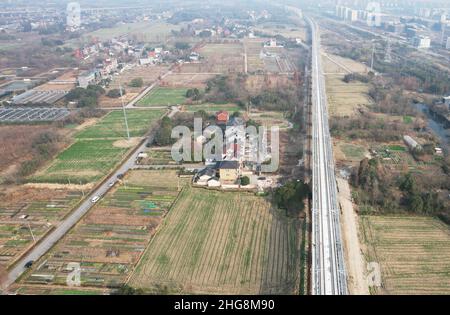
(113, 124)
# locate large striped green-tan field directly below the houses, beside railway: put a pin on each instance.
(221, 243)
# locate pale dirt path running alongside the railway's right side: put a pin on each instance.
(357, 283)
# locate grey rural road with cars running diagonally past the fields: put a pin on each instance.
(64, 226)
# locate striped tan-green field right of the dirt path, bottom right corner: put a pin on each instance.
(413, 253)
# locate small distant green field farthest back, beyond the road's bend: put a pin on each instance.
(162, 96)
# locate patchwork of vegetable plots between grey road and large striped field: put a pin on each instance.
(110, 239)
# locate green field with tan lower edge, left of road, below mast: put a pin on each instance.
(84, 161)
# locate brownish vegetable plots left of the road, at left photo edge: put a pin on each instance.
(42, 208)
